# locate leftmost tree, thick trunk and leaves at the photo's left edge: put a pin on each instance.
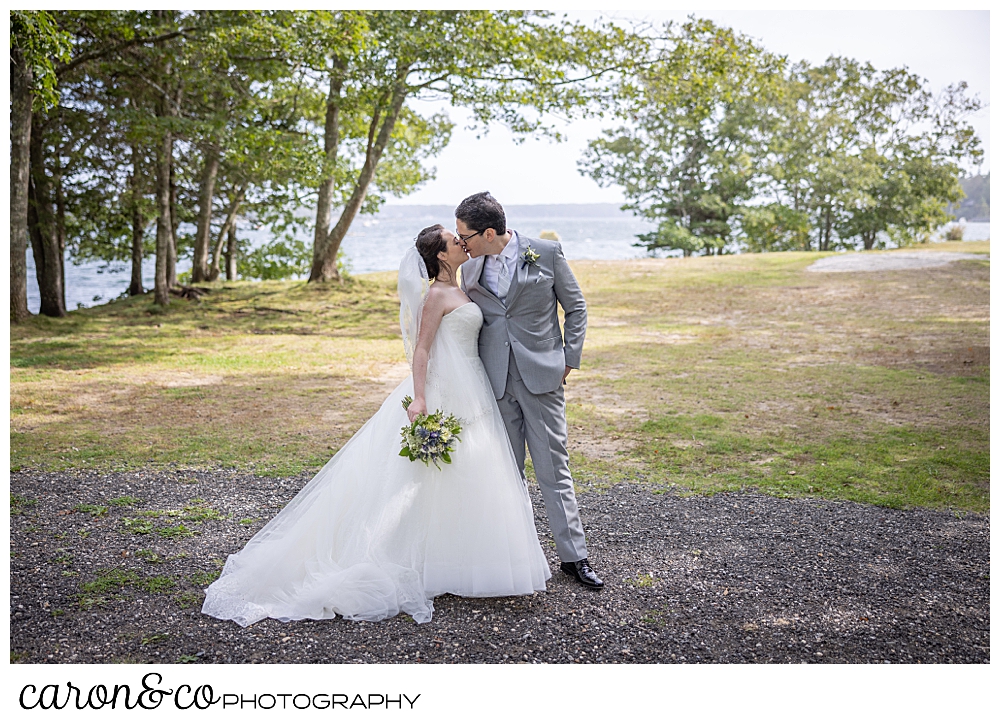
(35, 42)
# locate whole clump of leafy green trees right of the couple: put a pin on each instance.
(727, 146)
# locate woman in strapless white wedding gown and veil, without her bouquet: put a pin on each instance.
(373, 533)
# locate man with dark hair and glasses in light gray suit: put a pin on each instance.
(517, 281)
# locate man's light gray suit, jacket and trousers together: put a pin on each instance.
(525, 355)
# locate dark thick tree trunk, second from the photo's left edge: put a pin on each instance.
(41, 227)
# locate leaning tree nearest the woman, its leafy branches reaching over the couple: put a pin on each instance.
(496, 62)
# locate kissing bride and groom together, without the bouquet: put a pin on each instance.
(374, 534)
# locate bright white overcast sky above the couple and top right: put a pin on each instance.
(942, 46)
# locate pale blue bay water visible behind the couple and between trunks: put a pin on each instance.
(376, 243)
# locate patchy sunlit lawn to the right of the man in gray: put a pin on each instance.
(733, 373)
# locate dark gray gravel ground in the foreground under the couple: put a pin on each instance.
(731, 578)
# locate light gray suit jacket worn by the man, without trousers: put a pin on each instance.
(528, 325)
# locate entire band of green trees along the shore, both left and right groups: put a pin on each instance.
(154, 132)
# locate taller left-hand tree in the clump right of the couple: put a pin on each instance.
(695, 135)
